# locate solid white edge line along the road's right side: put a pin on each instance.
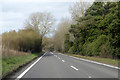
(94, 62)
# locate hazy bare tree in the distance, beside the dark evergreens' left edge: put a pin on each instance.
(62, 29)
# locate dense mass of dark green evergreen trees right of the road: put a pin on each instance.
(97, 32)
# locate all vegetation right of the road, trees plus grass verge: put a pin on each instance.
(93, 32)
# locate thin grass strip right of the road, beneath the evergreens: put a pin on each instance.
(98, 59)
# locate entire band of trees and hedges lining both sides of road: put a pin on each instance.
(93, 31)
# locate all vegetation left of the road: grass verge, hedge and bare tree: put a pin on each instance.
(20, 47)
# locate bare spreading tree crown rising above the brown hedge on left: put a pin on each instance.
(40, 23)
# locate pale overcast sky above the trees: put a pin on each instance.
(14, 13)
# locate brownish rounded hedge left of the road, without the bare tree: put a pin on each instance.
(23, 40)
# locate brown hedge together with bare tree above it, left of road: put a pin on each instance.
(31, 39)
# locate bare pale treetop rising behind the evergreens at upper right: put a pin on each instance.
(78, 9)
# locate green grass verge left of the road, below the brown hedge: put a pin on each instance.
(12, 63)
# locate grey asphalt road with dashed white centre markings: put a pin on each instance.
(56, 65)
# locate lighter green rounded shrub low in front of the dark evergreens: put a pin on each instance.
(95, 47)
